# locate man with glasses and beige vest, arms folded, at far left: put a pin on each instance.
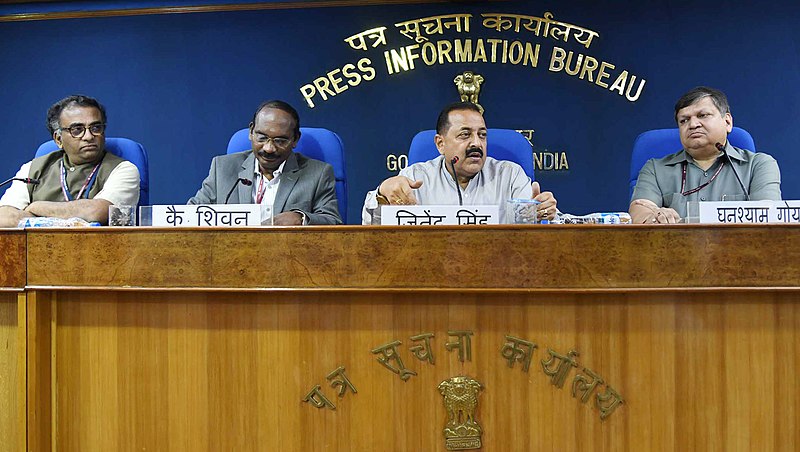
(80, 179)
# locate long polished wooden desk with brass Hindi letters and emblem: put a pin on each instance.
(680, 337)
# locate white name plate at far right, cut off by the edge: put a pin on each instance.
(750, 212)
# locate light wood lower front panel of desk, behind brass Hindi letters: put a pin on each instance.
(217, 371)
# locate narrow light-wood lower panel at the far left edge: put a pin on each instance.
(9, 381)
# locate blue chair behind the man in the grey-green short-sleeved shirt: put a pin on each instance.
(658, 143)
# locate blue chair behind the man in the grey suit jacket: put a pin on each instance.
(316, 143)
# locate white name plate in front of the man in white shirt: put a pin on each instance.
(439, 215)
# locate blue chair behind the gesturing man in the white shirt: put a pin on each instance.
(503, 144)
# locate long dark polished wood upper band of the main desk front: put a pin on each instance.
(429, 258)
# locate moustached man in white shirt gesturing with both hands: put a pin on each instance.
(461, 135)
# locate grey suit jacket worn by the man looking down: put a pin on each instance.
(306, 184)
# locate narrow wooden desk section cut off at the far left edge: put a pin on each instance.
(12, 339)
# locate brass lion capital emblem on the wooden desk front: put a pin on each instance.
(462, 431)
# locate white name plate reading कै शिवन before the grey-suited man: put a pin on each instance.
(210, 215)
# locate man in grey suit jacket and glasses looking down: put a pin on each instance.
(301, 190)
